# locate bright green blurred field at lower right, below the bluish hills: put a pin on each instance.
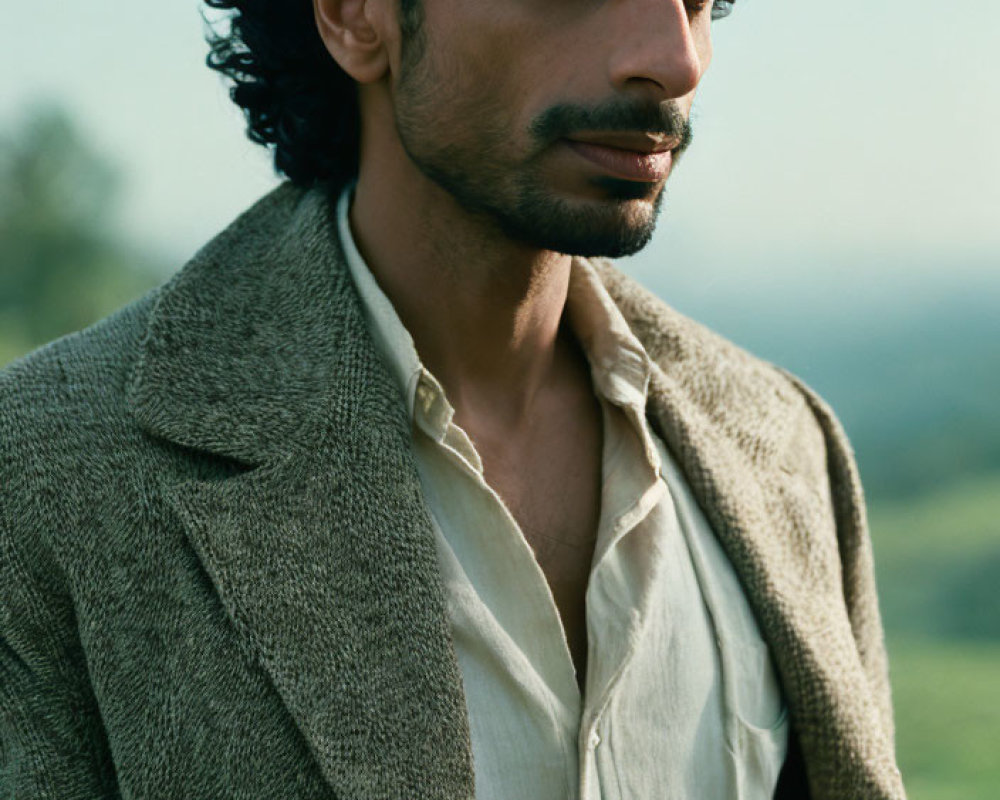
(938, 567)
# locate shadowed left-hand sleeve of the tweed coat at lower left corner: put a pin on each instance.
(52, 743)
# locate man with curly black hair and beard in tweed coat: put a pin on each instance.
(393, 492)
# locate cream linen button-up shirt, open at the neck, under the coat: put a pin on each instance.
(681, 700)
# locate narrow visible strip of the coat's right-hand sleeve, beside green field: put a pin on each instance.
(856, 557)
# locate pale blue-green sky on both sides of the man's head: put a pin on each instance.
(830, 136)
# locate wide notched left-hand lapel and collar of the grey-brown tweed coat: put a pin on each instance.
(320, 548)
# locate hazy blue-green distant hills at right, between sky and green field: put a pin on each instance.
(911, 365)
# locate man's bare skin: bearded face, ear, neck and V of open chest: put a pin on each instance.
(498, 141)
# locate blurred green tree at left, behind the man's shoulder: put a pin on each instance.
(61, 264)
